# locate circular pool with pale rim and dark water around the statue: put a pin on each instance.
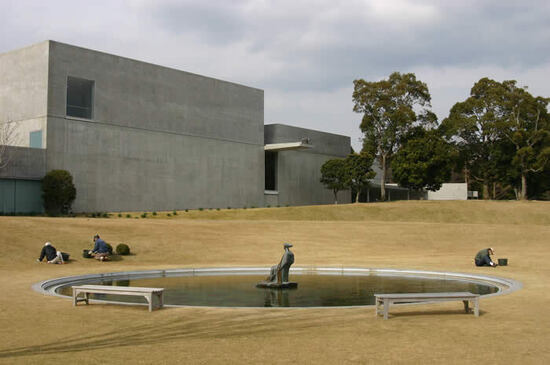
(317, 287)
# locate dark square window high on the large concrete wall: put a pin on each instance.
(79, 97)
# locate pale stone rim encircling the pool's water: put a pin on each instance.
(48, 287)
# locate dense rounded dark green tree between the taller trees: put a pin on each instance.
(424, 162)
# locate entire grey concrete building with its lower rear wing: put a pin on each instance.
(137, 136)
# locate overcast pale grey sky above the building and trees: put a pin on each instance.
(306, 54)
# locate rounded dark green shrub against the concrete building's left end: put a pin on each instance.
(58, 192)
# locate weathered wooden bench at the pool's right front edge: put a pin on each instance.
(387, 299)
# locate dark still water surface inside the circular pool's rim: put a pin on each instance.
(313, 291)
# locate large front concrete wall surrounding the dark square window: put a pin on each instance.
(159, 139)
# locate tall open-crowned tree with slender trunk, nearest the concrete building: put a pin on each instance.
(390, 109)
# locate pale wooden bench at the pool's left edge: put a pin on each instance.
(147, 293)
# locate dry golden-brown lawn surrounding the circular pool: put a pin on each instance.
(423, 235)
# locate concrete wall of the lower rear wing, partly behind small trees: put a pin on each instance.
(299, 172)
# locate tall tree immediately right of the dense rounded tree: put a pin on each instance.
(472, 125)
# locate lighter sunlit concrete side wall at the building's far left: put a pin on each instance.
(23, 90)
